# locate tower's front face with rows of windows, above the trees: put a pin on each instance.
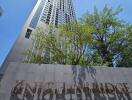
(58, 12)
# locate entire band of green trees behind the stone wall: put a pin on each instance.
(100, 38)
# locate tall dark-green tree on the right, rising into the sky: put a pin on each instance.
(110, 38)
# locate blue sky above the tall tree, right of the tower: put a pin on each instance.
(81, 6)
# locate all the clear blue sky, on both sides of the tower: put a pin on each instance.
(17, 11)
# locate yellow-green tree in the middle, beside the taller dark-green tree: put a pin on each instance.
(75, 39)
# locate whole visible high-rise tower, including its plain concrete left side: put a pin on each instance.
(45, 12)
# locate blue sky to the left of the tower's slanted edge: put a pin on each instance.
(15, 14)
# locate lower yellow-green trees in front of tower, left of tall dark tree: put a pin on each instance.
(67, 44)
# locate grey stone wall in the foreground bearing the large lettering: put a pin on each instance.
(58, 82)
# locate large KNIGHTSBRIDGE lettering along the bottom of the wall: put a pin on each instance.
(23, 90)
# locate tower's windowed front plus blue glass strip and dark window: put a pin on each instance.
(52, 12)
